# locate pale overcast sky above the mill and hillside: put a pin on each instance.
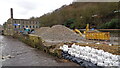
(24, 9)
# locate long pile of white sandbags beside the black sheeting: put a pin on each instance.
(95, 56)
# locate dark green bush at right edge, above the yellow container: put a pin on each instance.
(113, 24)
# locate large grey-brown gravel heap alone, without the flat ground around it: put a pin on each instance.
(58, 33)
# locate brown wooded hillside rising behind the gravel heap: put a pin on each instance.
(77, 15)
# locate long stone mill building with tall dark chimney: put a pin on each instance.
(15, 25)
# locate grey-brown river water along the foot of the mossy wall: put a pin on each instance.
(16, 53)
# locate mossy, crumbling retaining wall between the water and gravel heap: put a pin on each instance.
(37, 42)
